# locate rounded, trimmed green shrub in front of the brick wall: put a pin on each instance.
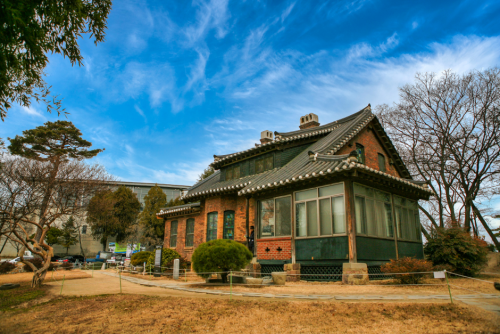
(220, 255)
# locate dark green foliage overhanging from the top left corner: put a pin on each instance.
(30, 30)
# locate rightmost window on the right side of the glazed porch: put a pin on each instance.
(407, 219)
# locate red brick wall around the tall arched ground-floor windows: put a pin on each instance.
(213, 204)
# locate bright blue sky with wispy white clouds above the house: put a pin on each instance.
(176, 81)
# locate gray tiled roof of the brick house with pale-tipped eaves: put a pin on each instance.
(319, 160)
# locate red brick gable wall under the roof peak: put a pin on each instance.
(372, 148)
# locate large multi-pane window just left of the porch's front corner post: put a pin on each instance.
(320, 211)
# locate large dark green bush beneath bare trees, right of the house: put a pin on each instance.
(457, 248)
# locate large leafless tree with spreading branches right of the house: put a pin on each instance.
(447, 129)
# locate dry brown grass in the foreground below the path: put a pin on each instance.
(135, 313)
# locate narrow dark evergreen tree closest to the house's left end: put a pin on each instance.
(154, 229)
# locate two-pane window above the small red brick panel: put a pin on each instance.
(275, 216)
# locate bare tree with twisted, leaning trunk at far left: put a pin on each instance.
(24, 192)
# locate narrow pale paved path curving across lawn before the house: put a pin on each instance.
(467, 299)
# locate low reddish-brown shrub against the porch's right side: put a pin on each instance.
(407, 265)
